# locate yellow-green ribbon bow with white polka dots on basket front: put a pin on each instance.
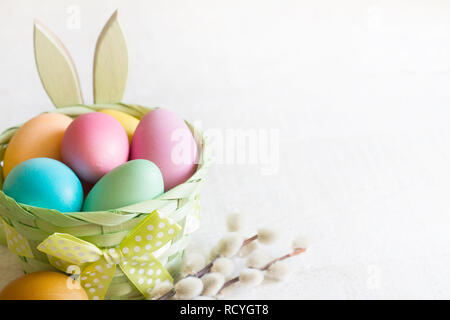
(134, 257)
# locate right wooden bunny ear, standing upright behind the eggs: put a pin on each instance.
(110, 63)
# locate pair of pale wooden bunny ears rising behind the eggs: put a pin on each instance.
(58, 73)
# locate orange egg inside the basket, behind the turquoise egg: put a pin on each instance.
(38, 137)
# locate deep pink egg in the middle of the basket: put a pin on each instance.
(94, 144)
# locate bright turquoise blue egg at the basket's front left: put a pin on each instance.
(45, 183)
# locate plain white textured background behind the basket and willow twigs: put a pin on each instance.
(360, 94)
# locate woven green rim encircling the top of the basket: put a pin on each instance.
(129, 210)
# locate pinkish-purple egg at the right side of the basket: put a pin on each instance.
(164, 138)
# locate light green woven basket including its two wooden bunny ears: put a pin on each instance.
(104, 229)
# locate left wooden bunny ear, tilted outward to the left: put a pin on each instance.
(56, 68)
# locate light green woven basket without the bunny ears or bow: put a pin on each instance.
(107, 229)
